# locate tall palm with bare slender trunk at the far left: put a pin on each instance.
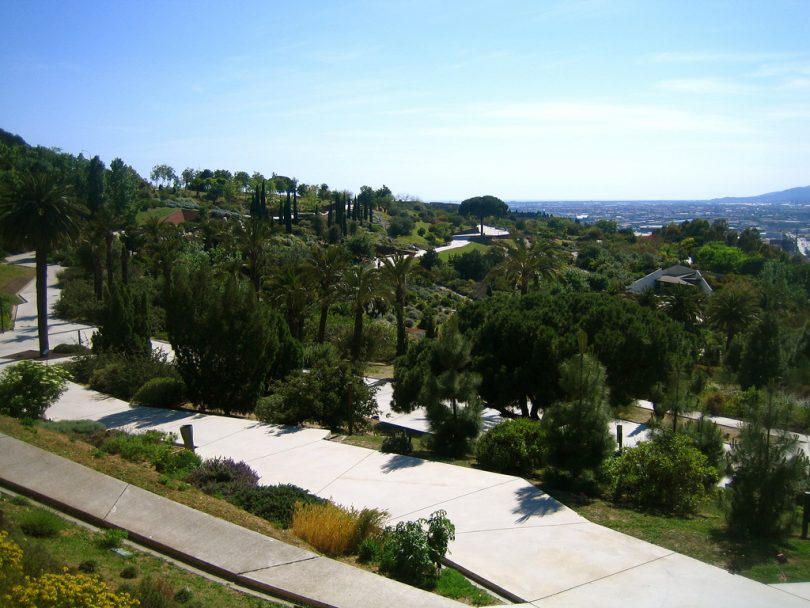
(39, 211)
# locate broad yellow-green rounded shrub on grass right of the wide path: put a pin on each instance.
(664, 474)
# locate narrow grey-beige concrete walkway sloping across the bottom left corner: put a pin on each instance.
(225, 549)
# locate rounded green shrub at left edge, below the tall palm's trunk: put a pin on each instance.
(28, 389)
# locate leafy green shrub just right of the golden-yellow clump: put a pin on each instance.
(413, 550)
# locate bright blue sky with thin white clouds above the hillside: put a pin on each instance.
(579, 99)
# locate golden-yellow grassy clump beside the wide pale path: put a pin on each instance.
(334, 530)
